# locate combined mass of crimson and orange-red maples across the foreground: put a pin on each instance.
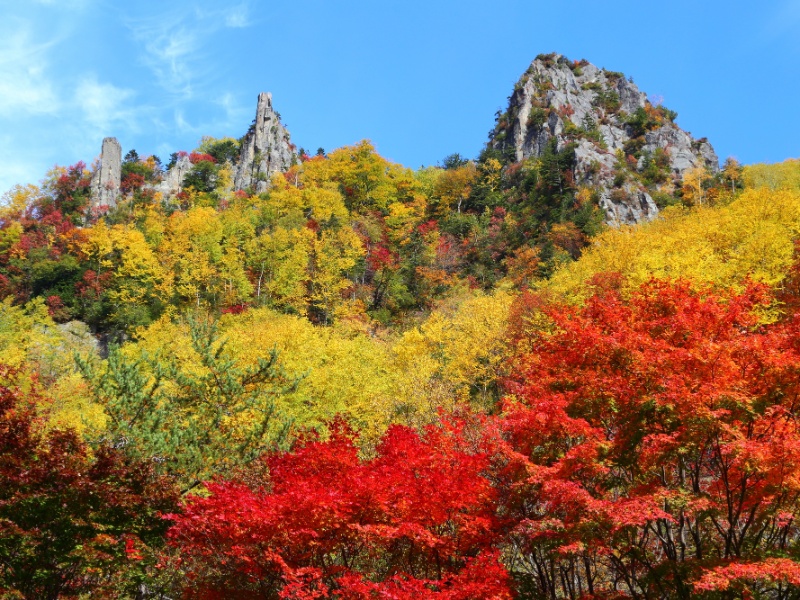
(650, 449)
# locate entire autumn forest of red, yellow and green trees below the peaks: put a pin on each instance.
(370, 381)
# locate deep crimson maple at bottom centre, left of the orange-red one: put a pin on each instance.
(417, 520)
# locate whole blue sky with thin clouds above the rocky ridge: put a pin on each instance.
(420, 79)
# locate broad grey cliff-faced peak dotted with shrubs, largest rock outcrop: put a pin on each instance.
(625, 146)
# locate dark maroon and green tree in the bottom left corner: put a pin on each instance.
(72, 520)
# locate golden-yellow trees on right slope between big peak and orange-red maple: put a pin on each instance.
(753, 237)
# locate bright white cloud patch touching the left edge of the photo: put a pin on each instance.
(25, 87)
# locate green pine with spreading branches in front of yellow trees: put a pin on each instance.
(195, 418)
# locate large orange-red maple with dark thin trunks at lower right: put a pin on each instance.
(658, 443)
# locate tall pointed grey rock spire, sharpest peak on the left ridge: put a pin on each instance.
(266, 148)
